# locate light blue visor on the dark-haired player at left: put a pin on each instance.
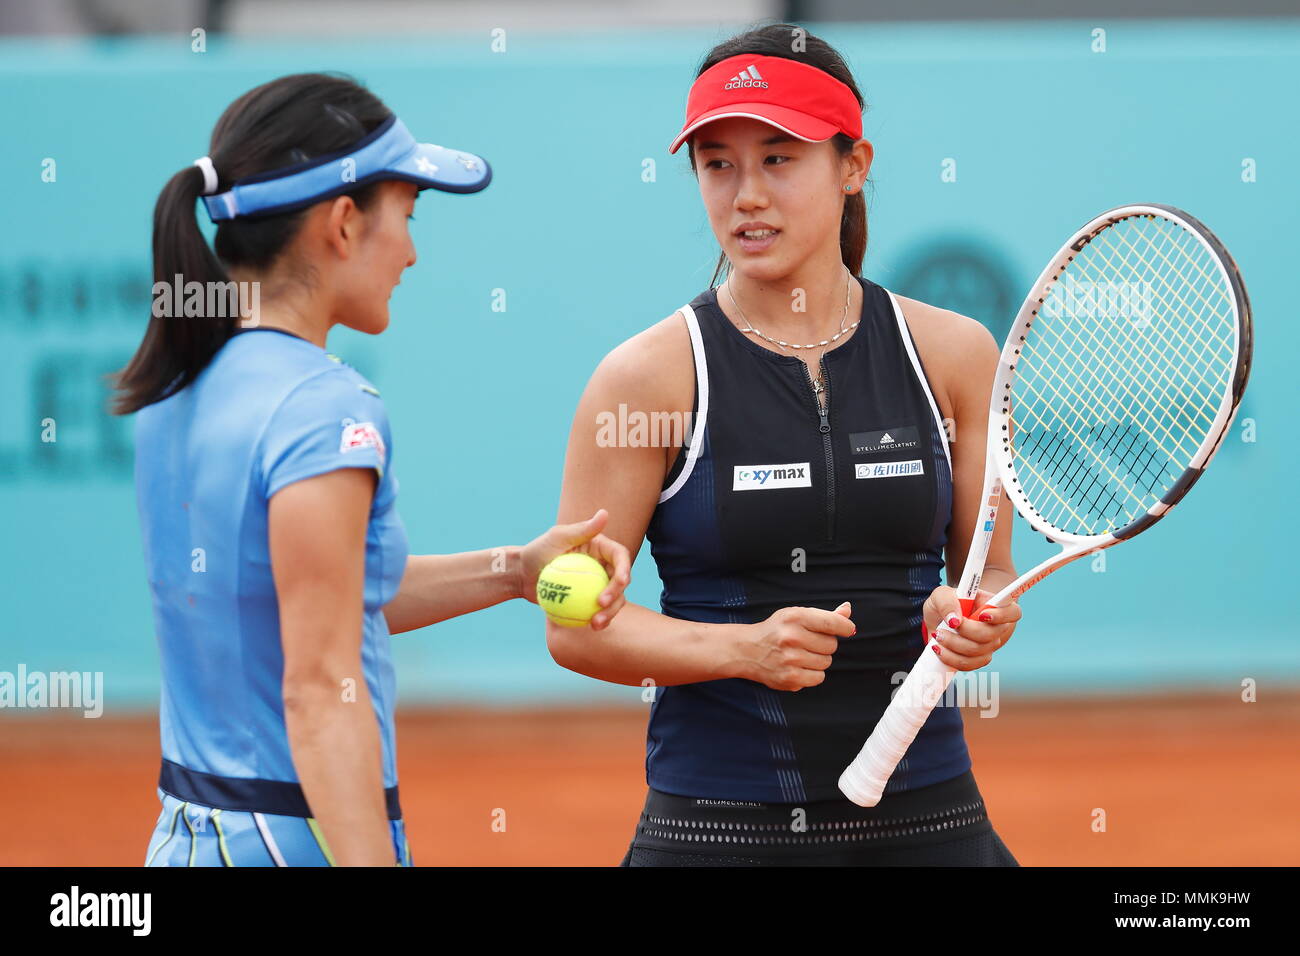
(388, 153)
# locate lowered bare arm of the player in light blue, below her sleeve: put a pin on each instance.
(320, 579)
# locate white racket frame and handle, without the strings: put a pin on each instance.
(865, 780)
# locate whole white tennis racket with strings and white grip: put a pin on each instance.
(1117, 386)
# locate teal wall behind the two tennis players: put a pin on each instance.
(1046, 133)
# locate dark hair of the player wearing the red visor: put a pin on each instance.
(778, 40)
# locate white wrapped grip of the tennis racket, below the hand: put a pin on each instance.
(865, 780)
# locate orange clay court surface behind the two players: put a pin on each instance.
(1189, 780)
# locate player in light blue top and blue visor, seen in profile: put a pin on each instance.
(276, 559)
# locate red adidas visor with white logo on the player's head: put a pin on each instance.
(803, 101)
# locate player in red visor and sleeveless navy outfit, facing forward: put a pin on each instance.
(833, 468)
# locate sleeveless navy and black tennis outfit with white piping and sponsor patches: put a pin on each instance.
(775, 504)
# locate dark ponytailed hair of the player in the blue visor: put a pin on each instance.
(287, 122)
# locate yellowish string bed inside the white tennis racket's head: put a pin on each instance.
(1115, 396)
